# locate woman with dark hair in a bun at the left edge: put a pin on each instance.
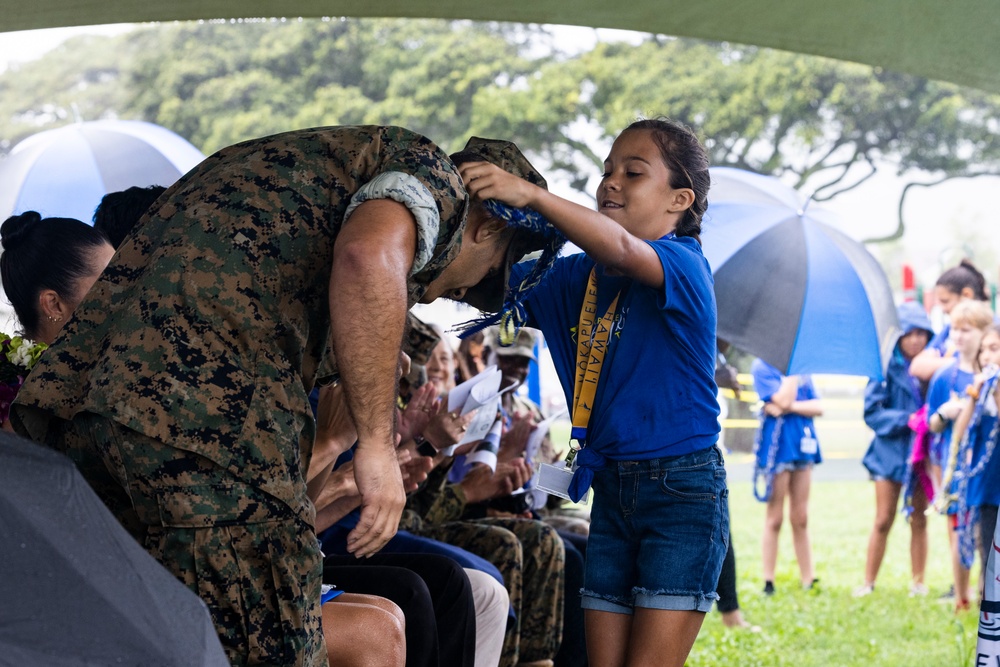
(48, 265)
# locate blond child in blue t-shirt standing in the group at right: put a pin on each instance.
(946, 396)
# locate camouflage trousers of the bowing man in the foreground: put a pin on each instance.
(255, 565)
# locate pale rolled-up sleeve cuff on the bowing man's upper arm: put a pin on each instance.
(413, 194)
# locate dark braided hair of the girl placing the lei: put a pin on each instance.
(687, 161)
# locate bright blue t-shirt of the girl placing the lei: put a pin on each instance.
(656, 396)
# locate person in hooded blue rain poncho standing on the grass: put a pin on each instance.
(889, 406)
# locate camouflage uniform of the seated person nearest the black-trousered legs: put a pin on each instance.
(528, 553)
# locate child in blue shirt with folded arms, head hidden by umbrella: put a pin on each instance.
(786, 451)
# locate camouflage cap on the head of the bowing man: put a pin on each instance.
(489, 294)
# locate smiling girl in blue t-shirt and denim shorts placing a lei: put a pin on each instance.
(631, 327)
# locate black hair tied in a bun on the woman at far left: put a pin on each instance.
(43, 253)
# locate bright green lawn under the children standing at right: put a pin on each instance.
(831, 628)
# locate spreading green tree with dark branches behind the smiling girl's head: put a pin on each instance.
(823, 126)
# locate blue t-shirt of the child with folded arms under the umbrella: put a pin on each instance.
(766, 380)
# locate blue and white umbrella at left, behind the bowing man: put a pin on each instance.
(65, 172)
